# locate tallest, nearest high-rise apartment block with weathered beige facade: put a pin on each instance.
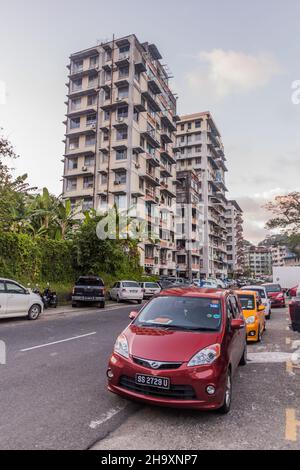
(120, 133)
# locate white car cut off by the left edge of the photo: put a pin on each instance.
(17, 301)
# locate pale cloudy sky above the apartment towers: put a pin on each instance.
(237, 59)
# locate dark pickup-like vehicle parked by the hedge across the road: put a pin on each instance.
(89, 290)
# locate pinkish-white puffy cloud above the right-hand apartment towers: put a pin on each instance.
(221, 73)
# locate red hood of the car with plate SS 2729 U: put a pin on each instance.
(167, 345)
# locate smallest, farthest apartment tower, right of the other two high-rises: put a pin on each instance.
(234, 222)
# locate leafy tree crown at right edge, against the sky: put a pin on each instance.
(286, 210)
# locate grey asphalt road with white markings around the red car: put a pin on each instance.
(54, 396)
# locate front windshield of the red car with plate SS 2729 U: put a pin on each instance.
(183, 313)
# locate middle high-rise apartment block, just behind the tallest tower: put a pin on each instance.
(199, 148)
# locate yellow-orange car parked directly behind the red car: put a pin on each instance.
(254, 313)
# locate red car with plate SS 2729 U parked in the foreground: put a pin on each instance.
(181, 350)
